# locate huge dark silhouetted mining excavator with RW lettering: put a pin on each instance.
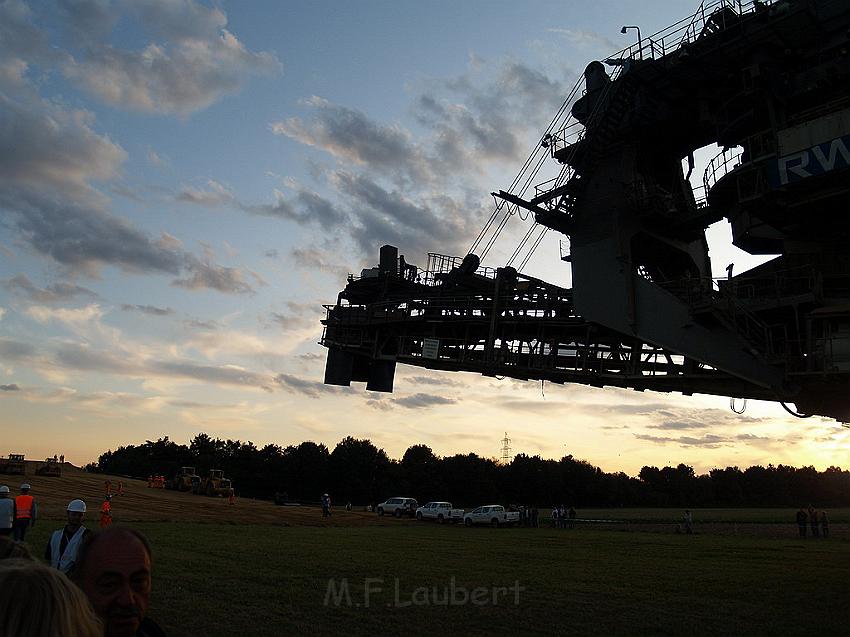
(644, 311)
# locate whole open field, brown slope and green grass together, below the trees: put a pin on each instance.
(743, 572)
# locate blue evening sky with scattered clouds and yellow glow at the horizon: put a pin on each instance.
(183, 185)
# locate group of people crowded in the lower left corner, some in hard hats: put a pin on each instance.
(97, 582)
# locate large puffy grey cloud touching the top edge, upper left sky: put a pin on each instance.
(193, 61)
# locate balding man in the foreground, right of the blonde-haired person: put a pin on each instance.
(122, 557)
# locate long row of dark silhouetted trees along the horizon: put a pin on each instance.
(357, 471)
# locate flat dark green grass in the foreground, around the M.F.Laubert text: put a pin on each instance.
(269, 580)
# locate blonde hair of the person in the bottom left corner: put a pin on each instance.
(39, 601)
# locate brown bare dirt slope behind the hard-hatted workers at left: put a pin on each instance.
(141, 503)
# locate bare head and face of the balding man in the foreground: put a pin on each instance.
(117, 581)
